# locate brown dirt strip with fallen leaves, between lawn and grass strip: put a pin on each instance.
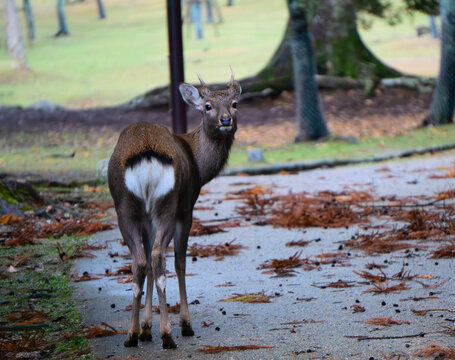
(348, 113)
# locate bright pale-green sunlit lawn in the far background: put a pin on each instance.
(107, 62)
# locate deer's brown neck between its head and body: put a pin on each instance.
(211, 154)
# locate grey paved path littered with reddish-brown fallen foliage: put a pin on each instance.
(328, 317)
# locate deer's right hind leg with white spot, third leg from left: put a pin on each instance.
(163, 237)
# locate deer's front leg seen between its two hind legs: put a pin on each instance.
(148, 237)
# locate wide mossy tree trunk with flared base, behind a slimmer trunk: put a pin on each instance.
(339, 50)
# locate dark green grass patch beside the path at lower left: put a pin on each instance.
(62, 316)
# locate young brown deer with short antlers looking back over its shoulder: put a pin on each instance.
(155, 178)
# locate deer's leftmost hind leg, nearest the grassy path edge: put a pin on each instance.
(131, 230)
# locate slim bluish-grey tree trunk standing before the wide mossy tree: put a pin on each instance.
(310, 119)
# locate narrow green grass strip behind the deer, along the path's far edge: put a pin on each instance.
(34, 158)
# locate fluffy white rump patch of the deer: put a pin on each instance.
(150, 179)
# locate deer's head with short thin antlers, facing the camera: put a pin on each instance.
(219, 107)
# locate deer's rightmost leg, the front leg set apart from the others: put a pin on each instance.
(182, 231)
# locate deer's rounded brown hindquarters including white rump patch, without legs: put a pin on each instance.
(150, 162)
